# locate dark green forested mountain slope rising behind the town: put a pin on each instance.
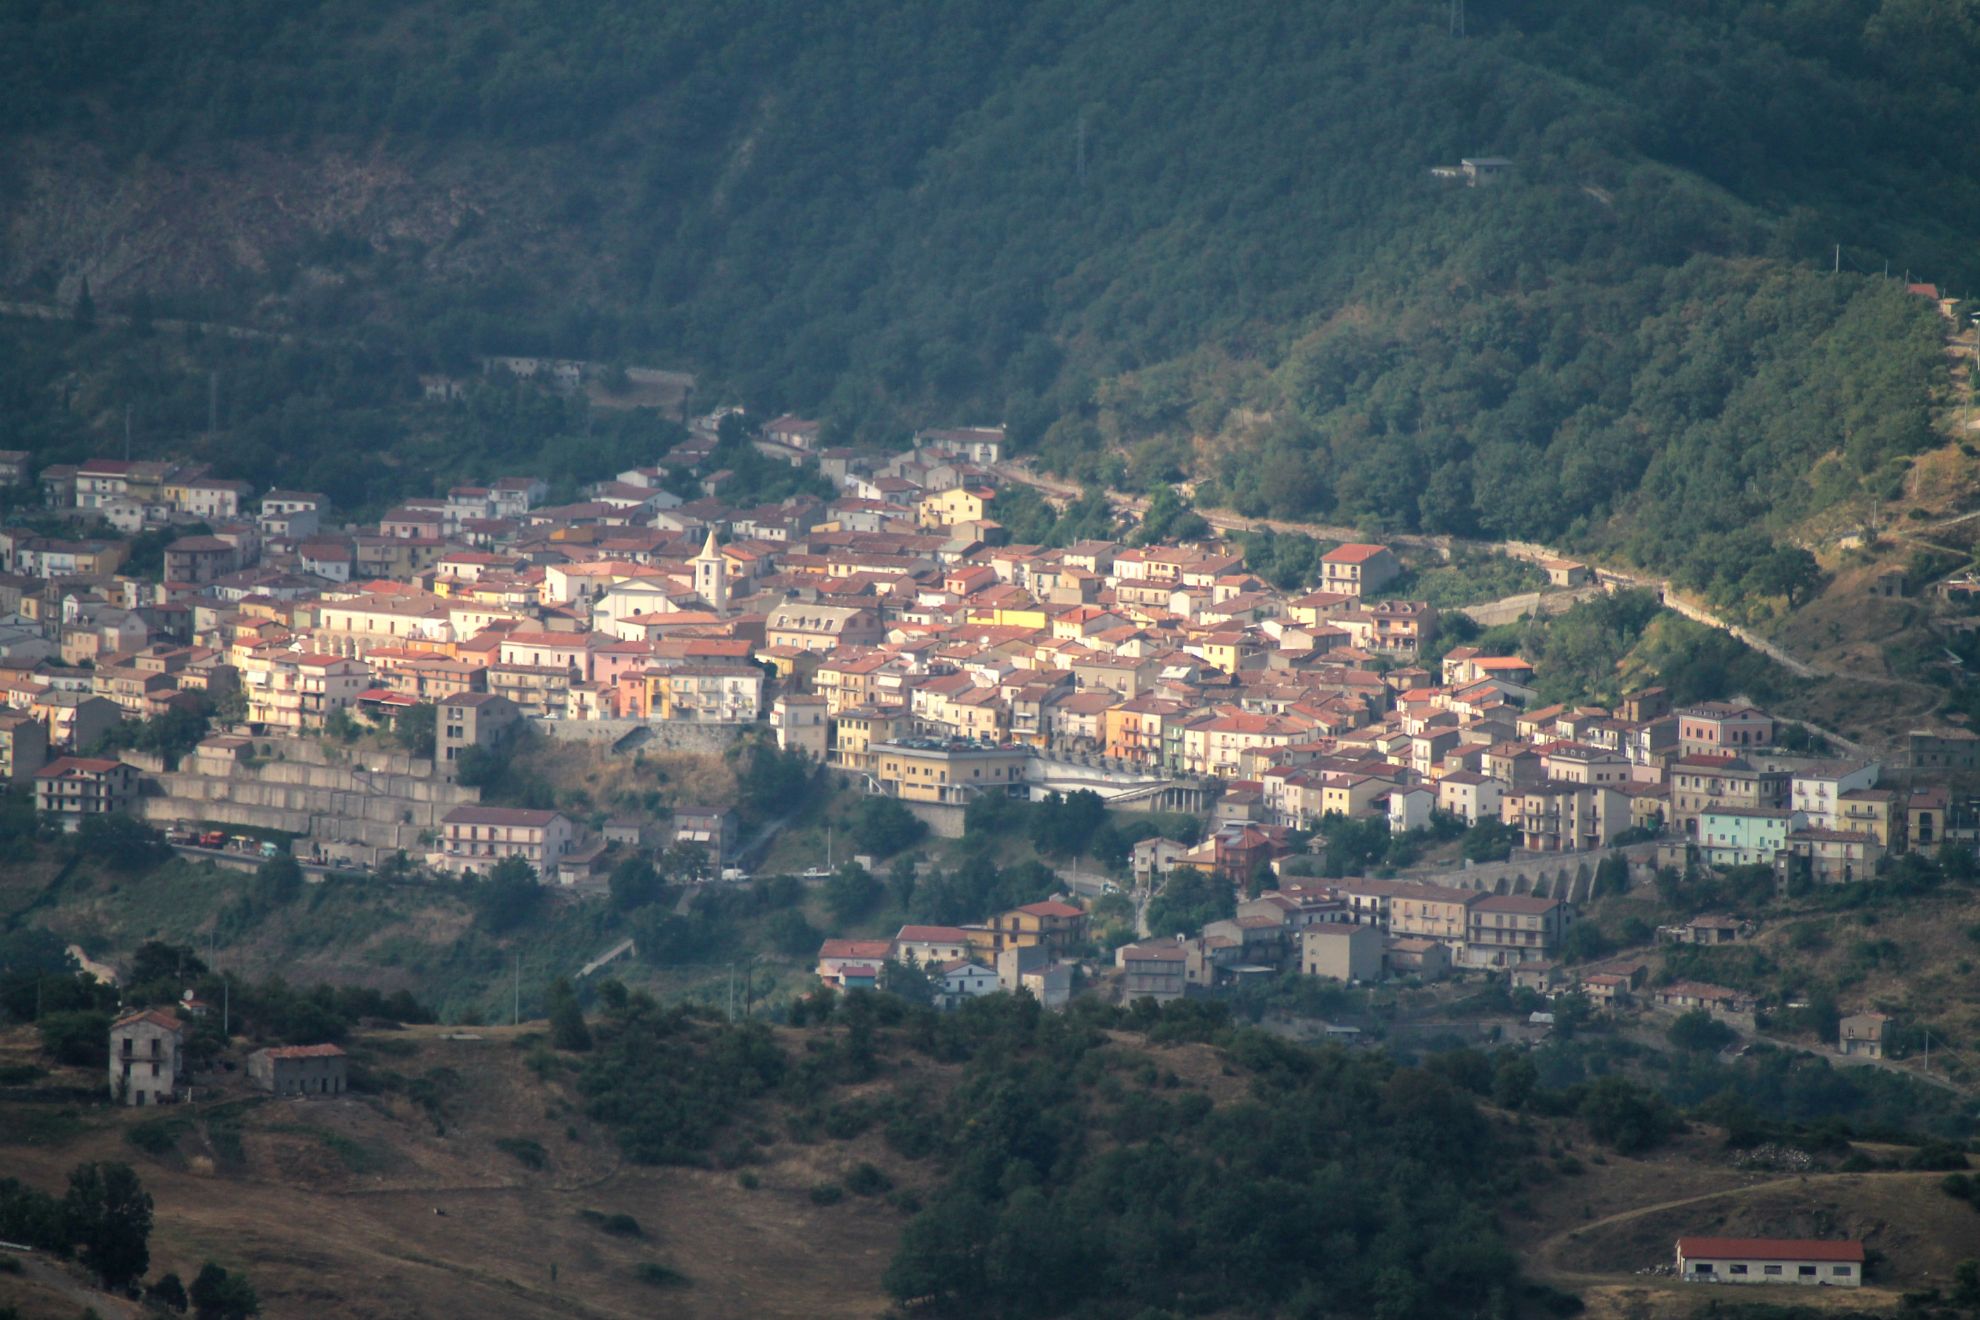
(1122, 227)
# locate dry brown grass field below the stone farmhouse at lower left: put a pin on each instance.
(365, 1206)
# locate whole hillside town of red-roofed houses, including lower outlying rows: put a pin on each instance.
(896, 636)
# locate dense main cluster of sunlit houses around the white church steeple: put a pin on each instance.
(892, 632)
